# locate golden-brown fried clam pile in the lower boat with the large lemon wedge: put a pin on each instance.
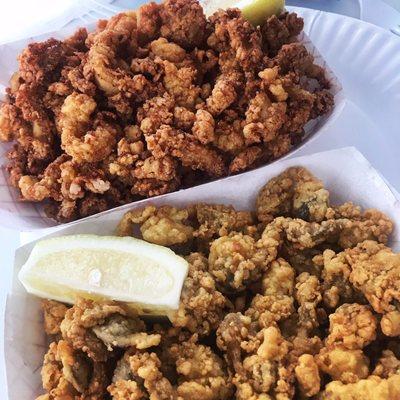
(300, 299)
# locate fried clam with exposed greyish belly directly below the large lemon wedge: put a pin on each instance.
(97, 327)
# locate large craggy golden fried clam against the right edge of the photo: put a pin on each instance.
(375, 271)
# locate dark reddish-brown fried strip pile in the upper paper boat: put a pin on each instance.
(155, 100)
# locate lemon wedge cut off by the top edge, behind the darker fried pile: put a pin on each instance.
(255, 11)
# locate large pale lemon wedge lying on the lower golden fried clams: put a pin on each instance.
(148, 276)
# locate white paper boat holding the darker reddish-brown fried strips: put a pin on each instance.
(30, 216)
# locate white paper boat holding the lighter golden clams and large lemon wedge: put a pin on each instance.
(346, 173)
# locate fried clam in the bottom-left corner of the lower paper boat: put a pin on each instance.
(70, 374)
